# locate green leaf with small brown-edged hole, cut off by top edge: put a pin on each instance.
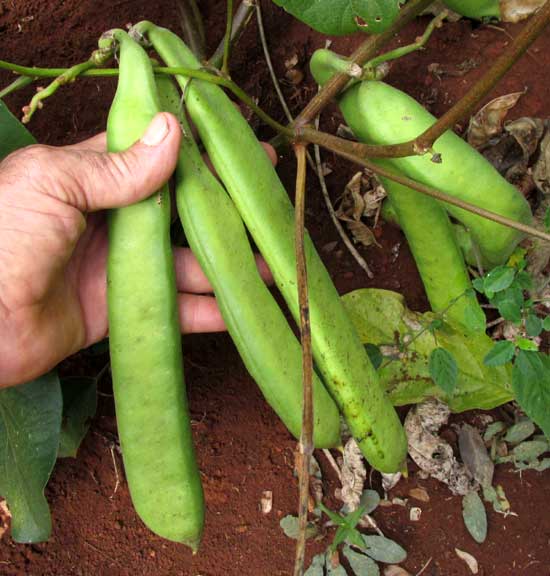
(342, 17)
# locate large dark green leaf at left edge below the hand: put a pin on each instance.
(30, 419)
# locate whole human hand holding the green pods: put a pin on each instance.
(53, 246)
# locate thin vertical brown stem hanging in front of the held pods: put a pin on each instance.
(306, 436)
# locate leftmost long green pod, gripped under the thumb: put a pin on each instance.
(144, 333)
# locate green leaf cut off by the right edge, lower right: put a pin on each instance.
(531, 383)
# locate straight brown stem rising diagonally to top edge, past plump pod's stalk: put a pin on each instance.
(365, 52)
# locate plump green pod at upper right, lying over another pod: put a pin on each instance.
(380, 114)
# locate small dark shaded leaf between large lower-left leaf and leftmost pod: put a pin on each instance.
(79, 406)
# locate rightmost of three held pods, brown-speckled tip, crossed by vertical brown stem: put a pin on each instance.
(265, 207)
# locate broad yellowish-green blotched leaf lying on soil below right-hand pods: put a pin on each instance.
(380, 316)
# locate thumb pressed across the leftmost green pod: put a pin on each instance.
(109, 180)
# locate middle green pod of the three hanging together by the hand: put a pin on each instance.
(217, 236)
